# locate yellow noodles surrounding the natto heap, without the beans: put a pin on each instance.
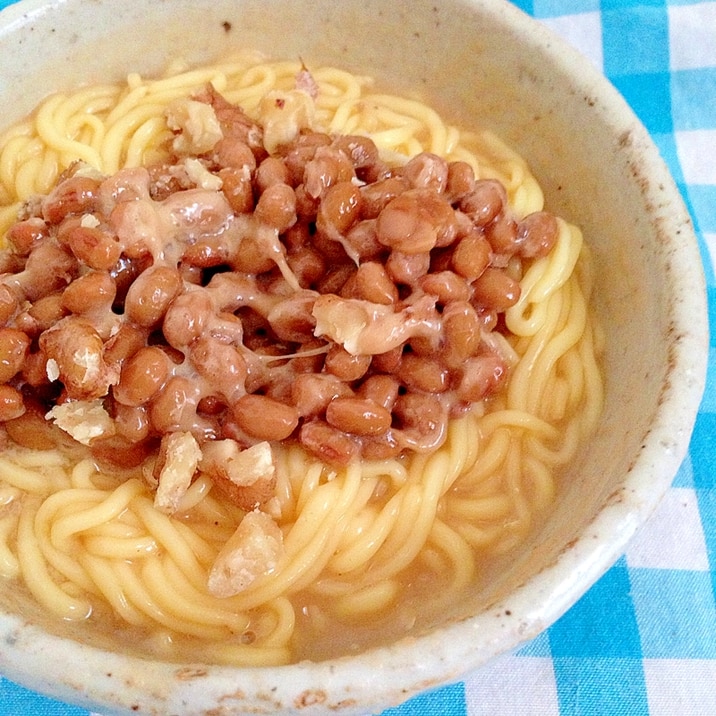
(353, 537)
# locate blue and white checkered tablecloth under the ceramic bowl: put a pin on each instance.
(642, 641)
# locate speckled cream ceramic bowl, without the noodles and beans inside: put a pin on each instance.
(481, 63)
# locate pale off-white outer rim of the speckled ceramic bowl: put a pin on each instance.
(354, 684)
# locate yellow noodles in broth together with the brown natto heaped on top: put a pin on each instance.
(285, 361)
